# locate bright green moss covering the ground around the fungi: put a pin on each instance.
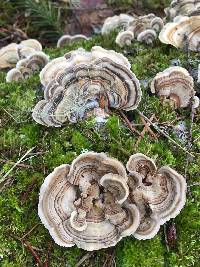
(18, 133)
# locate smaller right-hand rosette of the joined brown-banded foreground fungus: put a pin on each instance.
(158, 194)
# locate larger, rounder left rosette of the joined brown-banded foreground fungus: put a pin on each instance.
(85, 204)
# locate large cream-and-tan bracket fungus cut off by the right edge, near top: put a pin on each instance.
(182, 32)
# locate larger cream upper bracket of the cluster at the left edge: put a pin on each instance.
(12, 53)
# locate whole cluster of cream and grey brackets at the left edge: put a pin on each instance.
(27, 57)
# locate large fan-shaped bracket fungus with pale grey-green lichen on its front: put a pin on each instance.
(83, 83)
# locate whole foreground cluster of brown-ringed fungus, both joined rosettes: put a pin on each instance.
(94, 203)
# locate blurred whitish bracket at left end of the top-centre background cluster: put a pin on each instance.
(114, 22)
